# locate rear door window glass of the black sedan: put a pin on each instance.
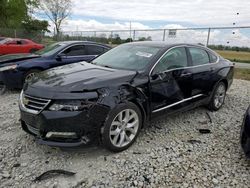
(199, 56)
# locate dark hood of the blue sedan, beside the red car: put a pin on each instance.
(16, 58)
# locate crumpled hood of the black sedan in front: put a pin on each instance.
(78, 77)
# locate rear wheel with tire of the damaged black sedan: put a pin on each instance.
(218, 97)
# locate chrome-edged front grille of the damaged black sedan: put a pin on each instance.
(33, 104)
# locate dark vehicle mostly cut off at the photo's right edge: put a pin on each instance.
(245, 133)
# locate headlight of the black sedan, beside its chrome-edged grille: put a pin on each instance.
(73, 105)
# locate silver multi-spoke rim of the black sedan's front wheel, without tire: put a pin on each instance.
(124, 128)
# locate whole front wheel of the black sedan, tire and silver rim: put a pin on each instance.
(122, 127)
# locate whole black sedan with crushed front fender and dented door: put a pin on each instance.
(112, 98)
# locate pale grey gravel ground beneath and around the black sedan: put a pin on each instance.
(170, 152)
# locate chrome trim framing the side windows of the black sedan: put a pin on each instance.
(185, 46)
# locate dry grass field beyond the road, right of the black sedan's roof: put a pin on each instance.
(243, 57)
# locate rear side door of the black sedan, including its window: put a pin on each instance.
(201, 70)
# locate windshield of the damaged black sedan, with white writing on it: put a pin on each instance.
(128, 57)
